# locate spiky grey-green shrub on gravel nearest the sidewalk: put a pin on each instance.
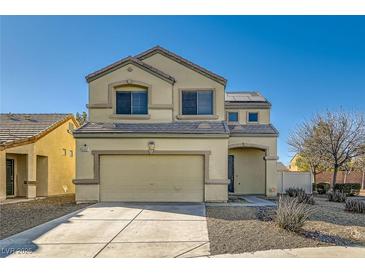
(291, 215)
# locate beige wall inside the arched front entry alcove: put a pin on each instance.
(249, 170)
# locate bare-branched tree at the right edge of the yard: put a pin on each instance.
(333, 139)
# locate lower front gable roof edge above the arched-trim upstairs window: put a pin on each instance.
(126, 61)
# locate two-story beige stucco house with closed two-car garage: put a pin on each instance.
(164, 129)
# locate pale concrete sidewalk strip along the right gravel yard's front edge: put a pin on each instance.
(310, 252)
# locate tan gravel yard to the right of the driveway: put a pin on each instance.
(250, 229)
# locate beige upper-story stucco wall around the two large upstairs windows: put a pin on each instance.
(164, 97)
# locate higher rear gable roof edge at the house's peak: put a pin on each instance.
(183, 61)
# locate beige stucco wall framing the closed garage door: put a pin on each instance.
(217, 169)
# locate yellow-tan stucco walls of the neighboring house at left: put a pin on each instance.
(61, 167)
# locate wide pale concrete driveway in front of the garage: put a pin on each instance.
(117, 230)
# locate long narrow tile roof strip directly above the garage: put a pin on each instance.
(202, 127)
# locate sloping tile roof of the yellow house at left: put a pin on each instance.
(17, 127)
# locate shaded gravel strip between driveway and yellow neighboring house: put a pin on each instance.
(17, 217)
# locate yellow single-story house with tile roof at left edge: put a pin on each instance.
(36, 154)
